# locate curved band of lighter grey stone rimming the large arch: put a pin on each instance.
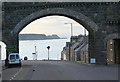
(78, 17)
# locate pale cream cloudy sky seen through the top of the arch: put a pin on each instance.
(54, 25)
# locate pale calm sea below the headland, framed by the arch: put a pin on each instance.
(29, 47)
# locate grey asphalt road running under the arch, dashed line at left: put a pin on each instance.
(59, 70)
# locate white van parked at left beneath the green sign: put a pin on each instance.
(14, 59)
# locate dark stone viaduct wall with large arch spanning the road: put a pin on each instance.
(101, 19)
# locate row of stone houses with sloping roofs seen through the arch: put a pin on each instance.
(76, 49)
